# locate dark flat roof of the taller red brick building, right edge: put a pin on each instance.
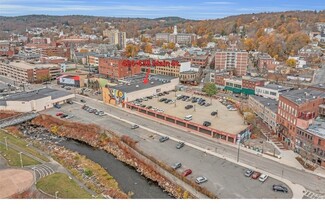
(301, 96)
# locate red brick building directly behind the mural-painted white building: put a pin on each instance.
(114, 68)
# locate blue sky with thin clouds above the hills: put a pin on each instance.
(191, 9)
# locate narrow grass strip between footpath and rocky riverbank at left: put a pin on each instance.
(21, 144)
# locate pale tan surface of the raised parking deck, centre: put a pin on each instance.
(227, 121)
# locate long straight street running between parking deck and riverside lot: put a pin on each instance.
(297, 176)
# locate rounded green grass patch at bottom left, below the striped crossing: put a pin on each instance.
(67, 188)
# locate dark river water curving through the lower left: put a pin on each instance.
(128, 178)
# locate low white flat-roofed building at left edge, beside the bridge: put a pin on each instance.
(36, 100)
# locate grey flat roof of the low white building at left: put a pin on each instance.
(36, 94)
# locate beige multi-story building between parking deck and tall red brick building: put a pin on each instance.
(265, 108)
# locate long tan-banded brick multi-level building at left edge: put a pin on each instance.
(32, 73)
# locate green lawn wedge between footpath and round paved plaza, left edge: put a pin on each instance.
(13, 158)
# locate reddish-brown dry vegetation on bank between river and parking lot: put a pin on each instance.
(110, 142)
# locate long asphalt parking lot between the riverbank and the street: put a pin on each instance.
(225, 179)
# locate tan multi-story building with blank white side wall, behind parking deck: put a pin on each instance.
(173, 70)
